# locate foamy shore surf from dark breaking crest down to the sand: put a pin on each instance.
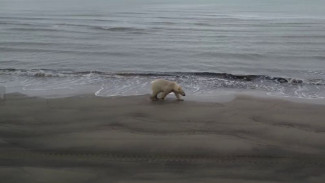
(45, 82)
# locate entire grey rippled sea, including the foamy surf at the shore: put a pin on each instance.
(117, 47)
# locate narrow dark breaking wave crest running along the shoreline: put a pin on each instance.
(211, 75)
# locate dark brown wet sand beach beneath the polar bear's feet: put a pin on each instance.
(132, 139)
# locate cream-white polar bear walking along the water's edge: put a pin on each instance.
(166, 87)
